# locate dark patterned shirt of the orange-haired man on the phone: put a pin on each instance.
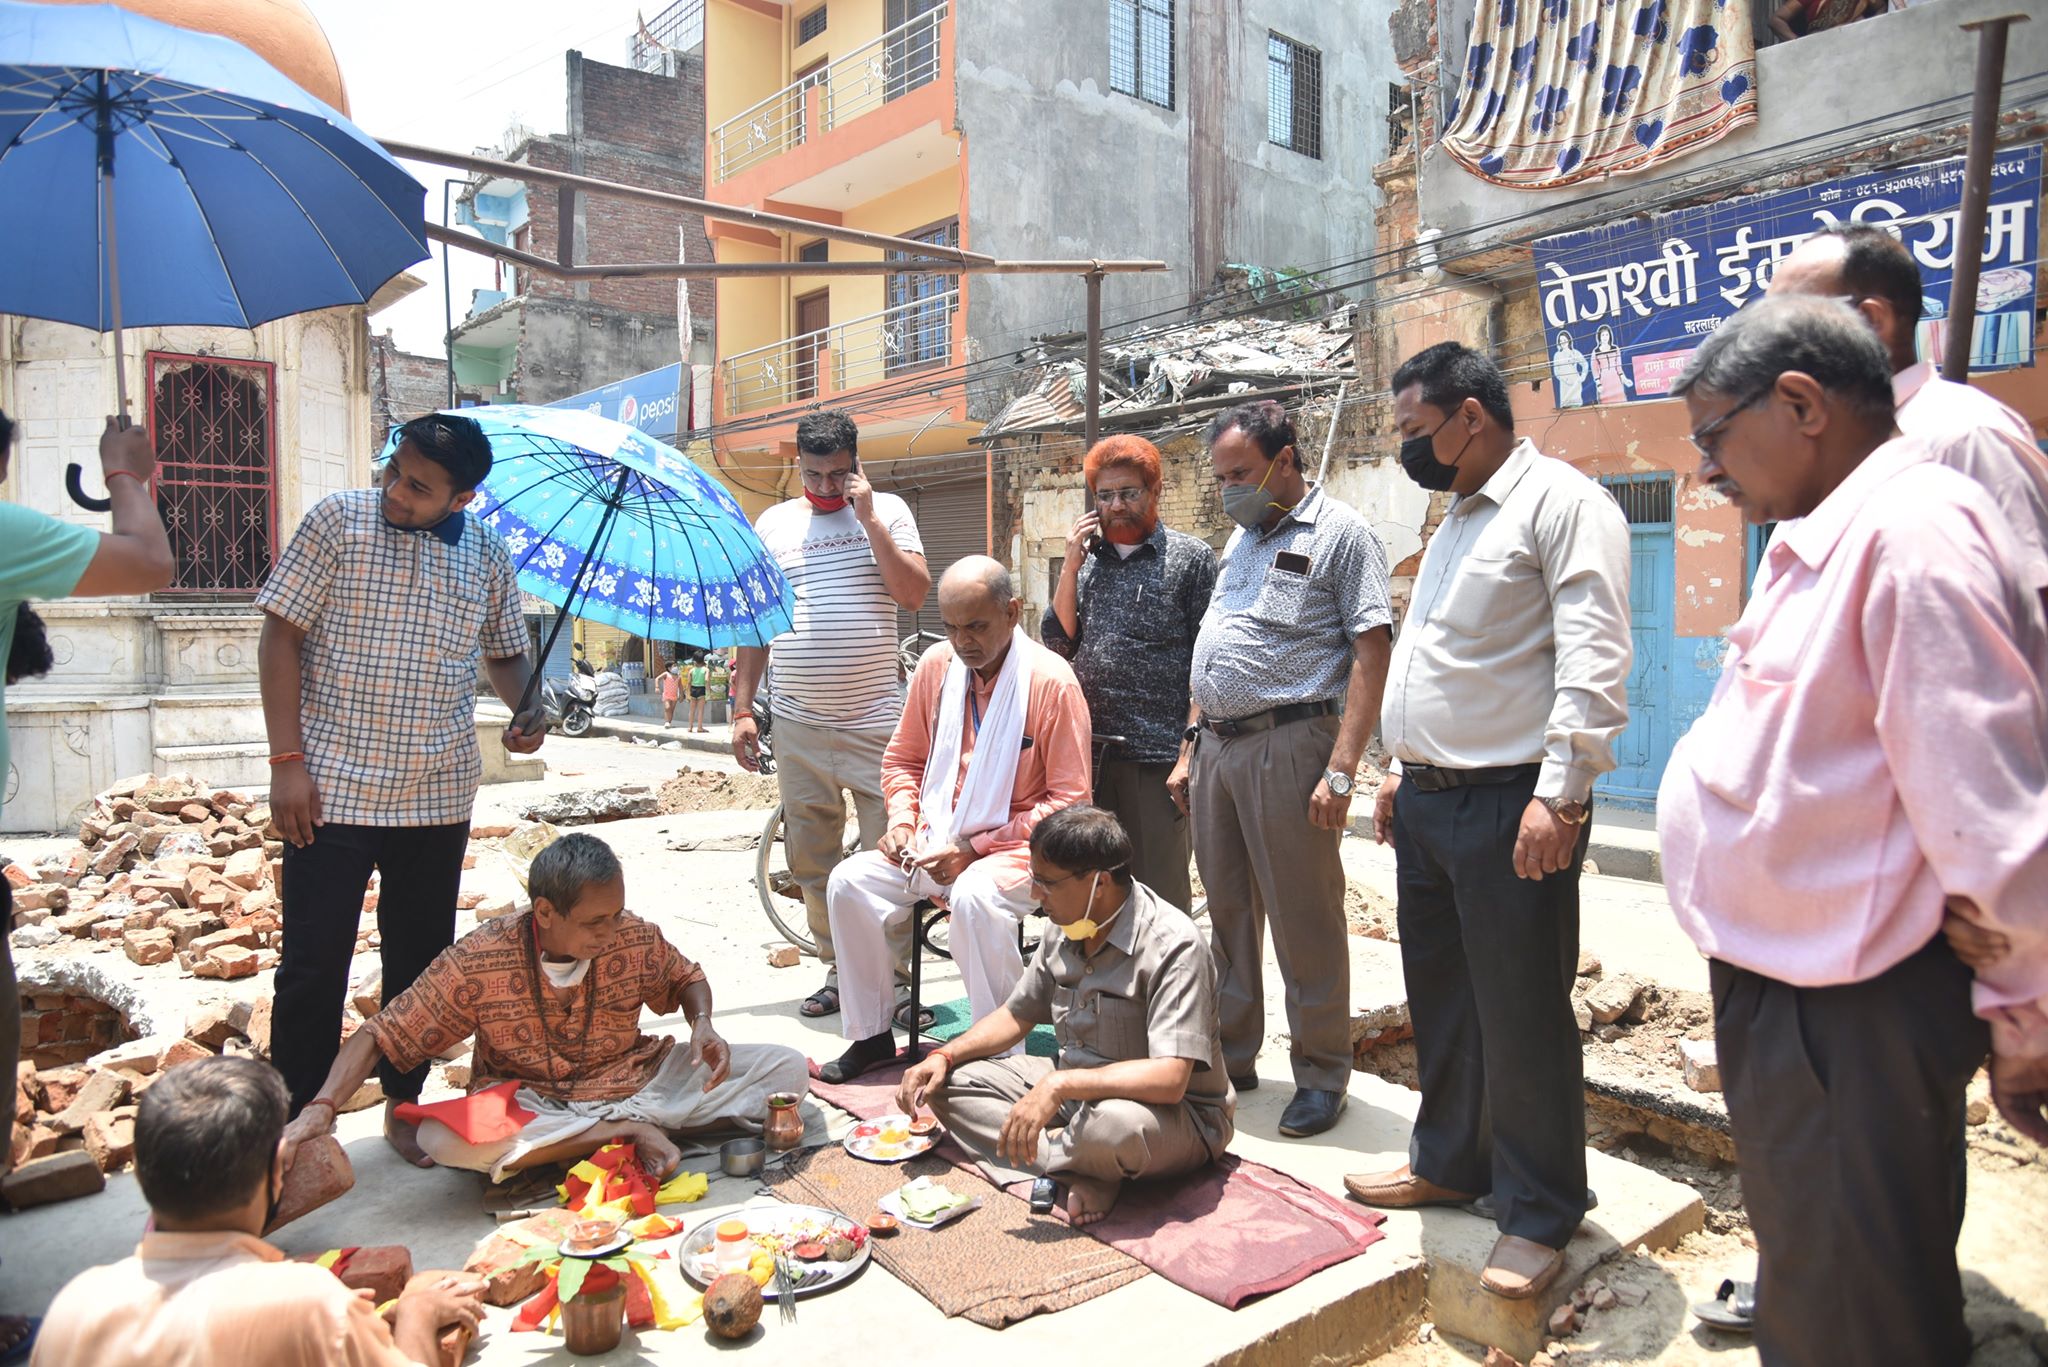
(1138, 620)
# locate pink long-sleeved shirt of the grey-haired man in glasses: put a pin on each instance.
(1879, 741)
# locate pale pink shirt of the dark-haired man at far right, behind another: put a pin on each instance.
(1988, 442)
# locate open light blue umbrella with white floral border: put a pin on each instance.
(611, 526)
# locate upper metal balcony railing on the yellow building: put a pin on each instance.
(865, 79)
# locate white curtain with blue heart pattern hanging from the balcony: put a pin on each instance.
(1568, 91)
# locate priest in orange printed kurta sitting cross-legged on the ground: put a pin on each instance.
(560, 1065)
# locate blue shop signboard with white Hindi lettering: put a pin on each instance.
(1627, 304)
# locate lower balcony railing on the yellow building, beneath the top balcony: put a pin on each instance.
(851, 356)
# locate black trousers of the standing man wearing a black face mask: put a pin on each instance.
(1490, 960)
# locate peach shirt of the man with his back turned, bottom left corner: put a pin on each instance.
(198, 1300)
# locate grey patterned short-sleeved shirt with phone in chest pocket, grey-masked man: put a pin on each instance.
(1281, 636)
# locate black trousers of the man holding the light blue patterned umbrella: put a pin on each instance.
(325, 884)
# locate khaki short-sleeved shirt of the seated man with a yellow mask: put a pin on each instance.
(1148, 993)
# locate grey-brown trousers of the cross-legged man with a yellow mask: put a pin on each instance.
(1111, 1141)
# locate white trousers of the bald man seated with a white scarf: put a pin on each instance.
(869, 897)
